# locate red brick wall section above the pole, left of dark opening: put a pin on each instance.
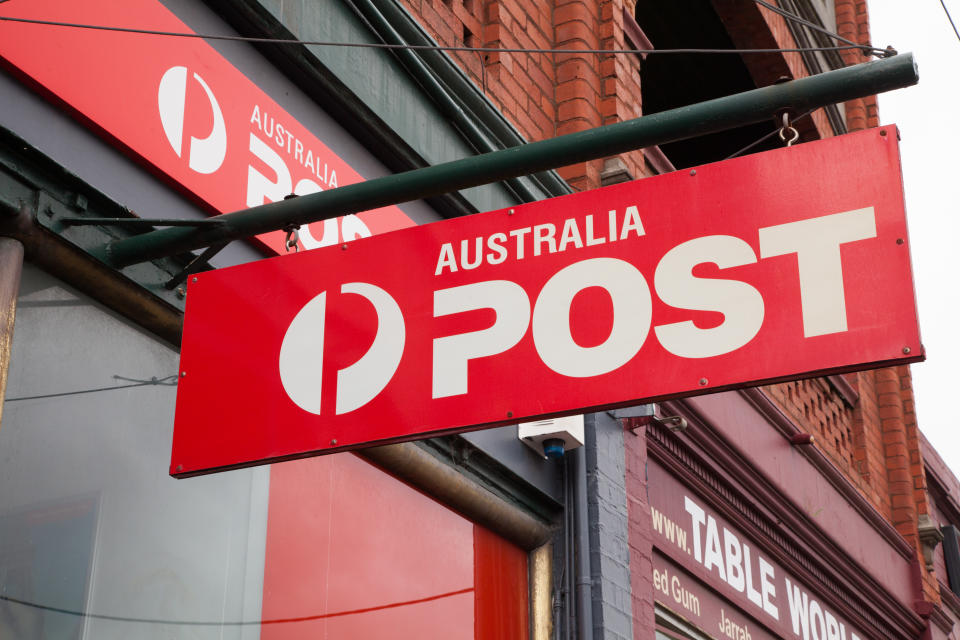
(546, 94)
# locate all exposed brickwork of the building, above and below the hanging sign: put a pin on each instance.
(874, 441)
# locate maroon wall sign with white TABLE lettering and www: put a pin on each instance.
(714, 558)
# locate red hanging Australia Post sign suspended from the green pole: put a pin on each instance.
(769, 267)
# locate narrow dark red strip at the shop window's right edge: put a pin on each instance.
(501, 601)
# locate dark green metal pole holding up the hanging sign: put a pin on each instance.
(660, 128)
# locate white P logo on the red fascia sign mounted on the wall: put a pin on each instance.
(206, 154)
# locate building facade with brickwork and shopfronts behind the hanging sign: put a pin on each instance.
(810, 509)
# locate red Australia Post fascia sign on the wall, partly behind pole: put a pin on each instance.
(179, 105)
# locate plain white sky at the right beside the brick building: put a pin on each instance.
(925, 114)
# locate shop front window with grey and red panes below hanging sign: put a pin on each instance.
(97, 541)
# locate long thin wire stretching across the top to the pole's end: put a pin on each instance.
(423, 47)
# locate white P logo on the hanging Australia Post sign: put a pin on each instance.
(301, 353)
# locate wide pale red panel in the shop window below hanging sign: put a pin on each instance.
(353, 553)
